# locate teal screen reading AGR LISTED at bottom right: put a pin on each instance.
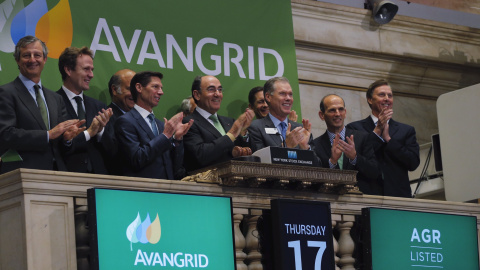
(415, 240)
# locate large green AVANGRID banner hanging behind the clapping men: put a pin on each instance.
(243, 43)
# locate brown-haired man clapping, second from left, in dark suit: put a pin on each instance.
(85, 155)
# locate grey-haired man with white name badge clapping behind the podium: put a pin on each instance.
(276, 129)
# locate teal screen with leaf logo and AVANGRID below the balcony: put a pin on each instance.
(141, 230)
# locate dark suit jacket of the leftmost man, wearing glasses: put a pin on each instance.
(22, 128)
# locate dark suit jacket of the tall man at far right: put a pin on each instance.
(396, 157)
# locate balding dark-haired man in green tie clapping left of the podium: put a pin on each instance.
(211, 138)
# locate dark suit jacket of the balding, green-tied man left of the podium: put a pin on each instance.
(204, 145)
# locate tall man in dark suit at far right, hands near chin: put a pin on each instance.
(395, 144)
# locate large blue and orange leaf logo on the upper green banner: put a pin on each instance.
(54, 27)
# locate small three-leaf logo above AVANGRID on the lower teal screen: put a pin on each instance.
(144, 232)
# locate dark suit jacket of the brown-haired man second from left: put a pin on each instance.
(83, 156)
